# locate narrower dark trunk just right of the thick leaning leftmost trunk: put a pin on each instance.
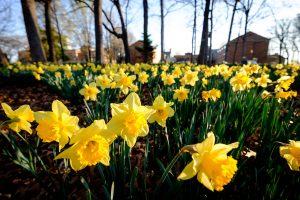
(49, 34)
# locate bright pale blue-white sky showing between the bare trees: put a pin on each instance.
(178, 29)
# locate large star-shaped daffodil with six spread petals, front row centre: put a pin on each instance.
(129, 119)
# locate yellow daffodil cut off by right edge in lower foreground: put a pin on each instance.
(291, 153)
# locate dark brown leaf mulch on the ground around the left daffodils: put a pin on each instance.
(17, 183)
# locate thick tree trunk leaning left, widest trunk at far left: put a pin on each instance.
(31, 25)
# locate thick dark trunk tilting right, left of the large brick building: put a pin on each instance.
(202, 58)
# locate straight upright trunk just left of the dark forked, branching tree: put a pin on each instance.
(98, 31)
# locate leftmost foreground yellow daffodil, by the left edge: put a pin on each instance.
(20, 117)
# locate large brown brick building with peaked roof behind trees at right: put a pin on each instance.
(256, 48)
